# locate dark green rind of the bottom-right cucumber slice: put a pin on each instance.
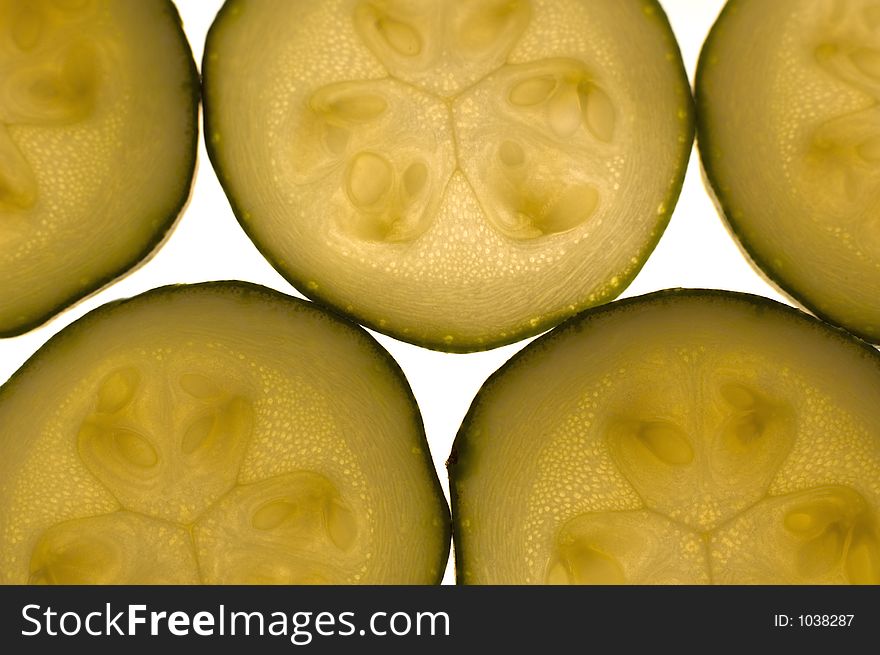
(463, 453)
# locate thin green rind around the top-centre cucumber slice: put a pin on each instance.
(437, 342)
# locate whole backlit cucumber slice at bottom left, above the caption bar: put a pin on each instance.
(216, 433)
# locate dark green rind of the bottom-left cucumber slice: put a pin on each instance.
(236, 287)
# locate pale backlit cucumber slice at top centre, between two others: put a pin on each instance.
(457, 174)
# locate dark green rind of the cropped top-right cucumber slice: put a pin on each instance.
(779, 281)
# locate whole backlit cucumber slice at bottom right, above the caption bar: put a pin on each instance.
(685, 436)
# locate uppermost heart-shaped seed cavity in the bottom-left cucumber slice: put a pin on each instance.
(141, 437)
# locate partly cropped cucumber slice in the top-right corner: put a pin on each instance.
(788, 97)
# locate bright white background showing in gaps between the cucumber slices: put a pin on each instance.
(695, 251)
